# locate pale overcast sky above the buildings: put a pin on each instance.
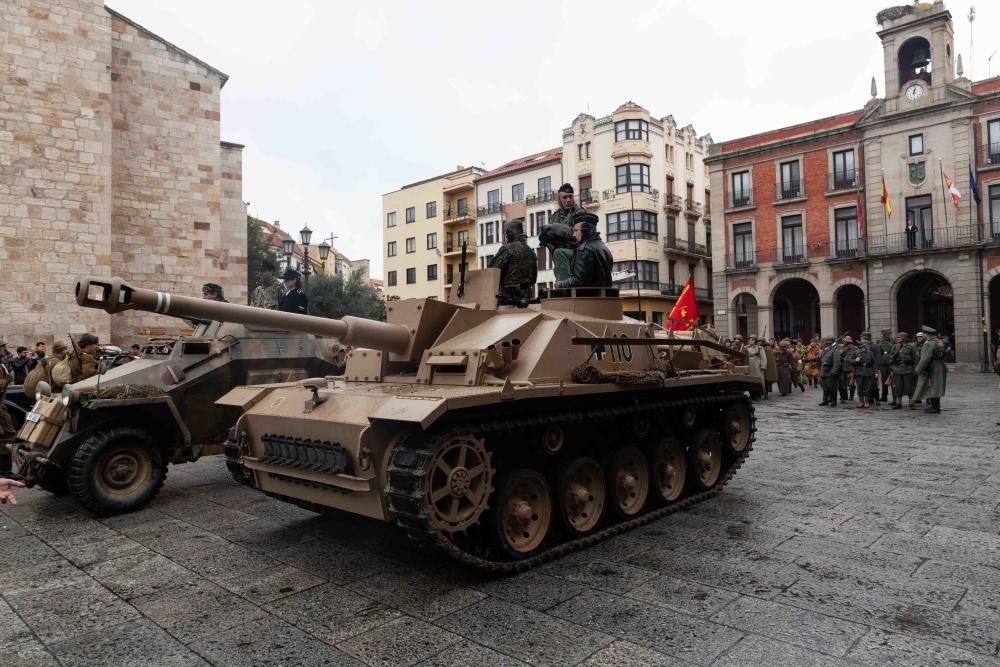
(338, 104)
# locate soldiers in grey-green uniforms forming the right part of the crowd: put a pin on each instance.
(914, 370)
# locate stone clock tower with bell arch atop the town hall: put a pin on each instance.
(918, 47)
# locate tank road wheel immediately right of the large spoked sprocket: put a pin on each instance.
(523, 512)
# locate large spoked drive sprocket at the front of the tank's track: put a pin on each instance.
(460, 481)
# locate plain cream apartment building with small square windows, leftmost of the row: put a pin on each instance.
(424, 225)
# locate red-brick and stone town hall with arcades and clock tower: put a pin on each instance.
(805, 243)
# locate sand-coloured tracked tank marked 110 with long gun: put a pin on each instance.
(502, 435)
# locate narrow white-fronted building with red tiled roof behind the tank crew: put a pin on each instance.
(520, 189)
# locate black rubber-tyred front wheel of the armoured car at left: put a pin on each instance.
(116, 470)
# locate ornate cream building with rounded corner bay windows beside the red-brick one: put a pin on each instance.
(645, 178)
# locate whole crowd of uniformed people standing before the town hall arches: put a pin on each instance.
(892, 370)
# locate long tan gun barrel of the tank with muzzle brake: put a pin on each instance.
(114, 295)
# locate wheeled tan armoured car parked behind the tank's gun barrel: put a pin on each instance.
(108, 440)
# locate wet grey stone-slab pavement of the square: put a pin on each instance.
(850, 537)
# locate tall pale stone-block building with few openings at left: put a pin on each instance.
(110, 164)
